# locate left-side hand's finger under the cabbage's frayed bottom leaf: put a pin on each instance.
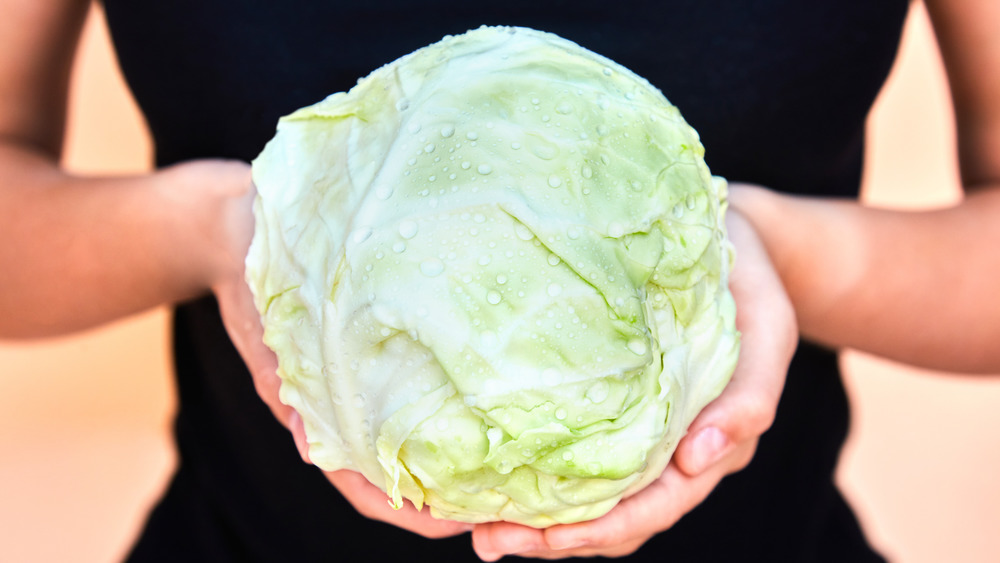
(371, 502)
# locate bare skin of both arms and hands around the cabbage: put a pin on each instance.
(844, 274)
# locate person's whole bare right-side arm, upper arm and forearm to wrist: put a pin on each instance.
(918, 287)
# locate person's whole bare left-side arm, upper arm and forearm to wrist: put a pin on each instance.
(76, 252)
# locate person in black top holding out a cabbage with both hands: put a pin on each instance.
(779, 93)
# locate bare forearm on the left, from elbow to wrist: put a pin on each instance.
(77, 252)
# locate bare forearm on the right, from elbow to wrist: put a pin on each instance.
(918, 287)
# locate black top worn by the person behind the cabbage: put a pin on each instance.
(779, 91)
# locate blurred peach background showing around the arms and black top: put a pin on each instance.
(84, 421)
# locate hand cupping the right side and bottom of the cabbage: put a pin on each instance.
(720, 441)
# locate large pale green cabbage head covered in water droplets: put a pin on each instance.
(495, 276)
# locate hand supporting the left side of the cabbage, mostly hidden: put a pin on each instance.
(242, 322)
